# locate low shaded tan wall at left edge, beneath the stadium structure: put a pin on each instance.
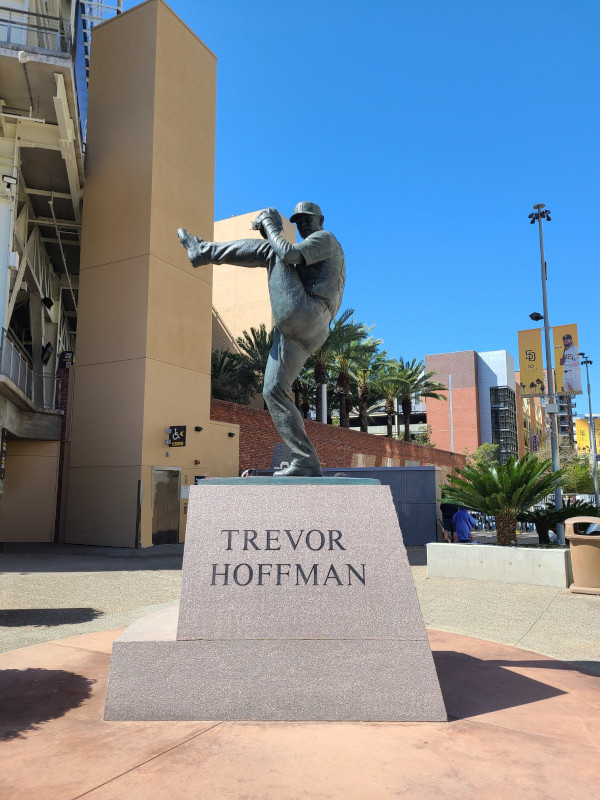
(28, 506)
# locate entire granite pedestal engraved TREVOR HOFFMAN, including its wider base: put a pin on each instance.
(297, 603)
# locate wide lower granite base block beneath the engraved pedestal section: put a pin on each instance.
(154, 676)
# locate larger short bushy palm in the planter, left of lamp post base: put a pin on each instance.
(504, 490)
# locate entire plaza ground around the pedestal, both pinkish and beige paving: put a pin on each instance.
(519, 724)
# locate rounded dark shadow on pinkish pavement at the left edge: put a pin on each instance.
(33, 696)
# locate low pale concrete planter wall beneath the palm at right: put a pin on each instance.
(483, 562)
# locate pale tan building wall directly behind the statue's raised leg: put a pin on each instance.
(240, 295)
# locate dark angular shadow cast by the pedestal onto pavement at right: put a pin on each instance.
(471, 686)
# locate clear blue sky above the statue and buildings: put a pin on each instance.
(425, 131)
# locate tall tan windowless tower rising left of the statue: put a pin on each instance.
(144, 333)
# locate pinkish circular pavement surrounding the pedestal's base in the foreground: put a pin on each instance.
(519, 725)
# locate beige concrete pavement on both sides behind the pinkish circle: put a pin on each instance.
(50, 592)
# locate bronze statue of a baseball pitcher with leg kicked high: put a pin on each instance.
(306, 282)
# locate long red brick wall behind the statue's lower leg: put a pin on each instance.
(336, 447)
